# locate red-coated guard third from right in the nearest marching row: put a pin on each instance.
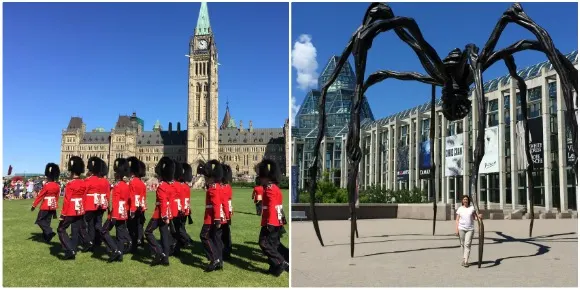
(165, 171)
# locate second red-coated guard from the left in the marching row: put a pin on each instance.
(72, 208)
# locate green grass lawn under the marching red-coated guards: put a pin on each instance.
(28, 262)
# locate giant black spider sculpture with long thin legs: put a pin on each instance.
(455, 74)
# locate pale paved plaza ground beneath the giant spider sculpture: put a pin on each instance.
(400, 253)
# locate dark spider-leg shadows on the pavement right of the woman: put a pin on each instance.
(542, 249)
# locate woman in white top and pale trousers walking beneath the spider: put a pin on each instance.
(464, 227)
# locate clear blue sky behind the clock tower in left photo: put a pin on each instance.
(74, 59)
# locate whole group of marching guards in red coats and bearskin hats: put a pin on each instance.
(86, 201)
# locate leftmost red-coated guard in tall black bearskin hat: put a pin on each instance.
(48, 199)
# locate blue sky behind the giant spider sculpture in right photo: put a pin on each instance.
(444, 25)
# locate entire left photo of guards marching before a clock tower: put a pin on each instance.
(145, 145)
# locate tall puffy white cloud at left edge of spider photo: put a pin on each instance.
(304, 61)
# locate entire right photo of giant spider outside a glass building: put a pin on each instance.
(434, 145)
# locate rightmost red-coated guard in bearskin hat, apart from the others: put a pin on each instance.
(273, 218)
